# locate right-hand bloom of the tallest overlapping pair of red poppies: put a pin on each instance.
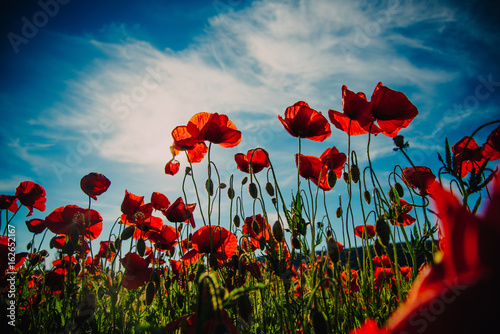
(392, 110)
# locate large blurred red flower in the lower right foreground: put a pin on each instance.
(458, 293)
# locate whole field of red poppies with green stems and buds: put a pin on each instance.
(428, 260)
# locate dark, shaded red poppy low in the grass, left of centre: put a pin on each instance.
(137, 271)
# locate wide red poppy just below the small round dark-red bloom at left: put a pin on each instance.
(63, 219)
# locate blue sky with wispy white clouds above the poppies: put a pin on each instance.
(98, 86)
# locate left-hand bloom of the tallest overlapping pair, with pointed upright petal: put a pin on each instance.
(357, 118)
